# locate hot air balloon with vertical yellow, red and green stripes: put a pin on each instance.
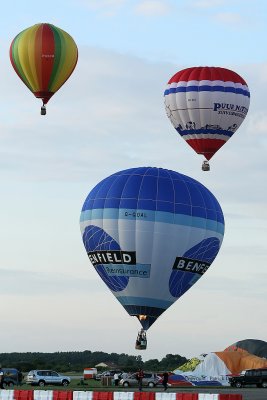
(44, 56)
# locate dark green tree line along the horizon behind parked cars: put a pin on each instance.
(76, 361)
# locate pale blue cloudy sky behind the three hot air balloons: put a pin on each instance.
(110, 116)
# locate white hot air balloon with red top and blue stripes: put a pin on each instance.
(206, 105)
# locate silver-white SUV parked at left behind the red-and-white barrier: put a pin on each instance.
(46, 377)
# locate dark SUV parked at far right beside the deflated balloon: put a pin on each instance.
(256, 377)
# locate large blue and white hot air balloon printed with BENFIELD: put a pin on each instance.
(150, 234)
